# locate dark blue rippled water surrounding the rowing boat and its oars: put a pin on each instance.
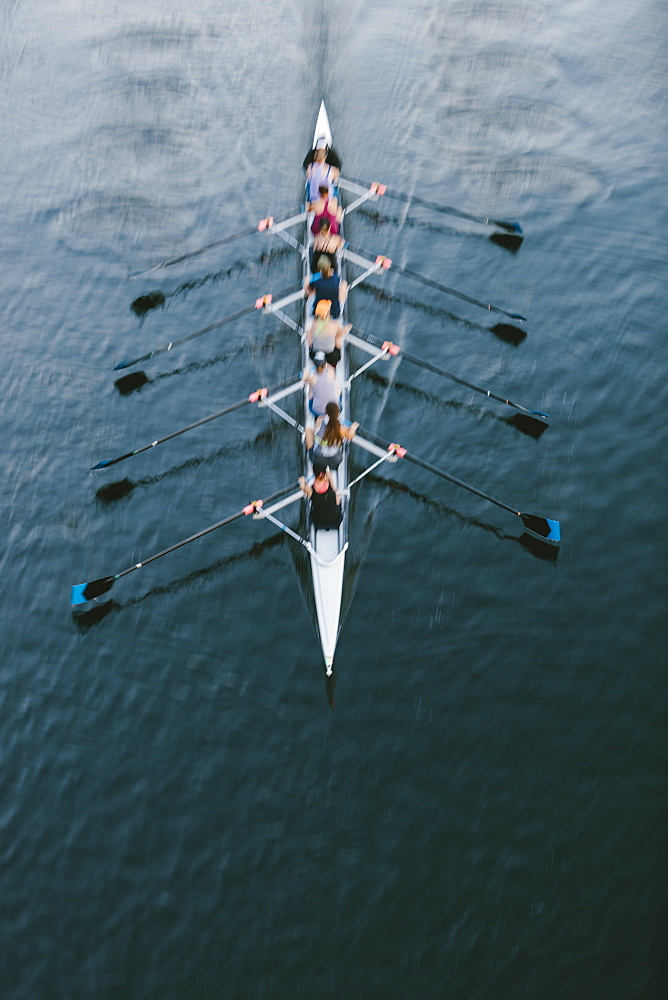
(483, 814)
